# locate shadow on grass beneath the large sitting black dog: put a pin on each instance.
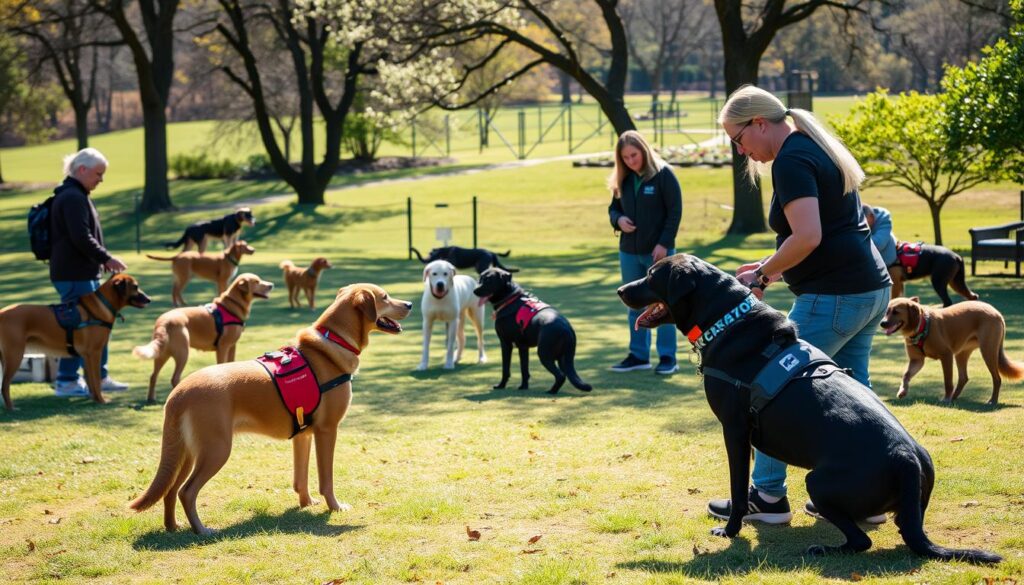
(783, 550)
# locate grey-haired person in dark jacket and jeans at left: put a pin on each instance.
(78, 259)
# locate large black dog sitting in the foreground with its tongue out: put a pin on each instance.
(863, 463)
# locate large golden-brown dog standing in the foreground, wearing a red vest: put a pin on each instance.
(210, 406)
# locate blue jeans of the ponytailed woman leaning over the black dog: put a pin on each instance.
(842, 326)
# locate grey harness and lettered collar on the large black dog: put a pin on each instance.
(786, 363)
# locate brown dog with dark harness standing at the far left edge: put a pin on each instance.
(35, 327)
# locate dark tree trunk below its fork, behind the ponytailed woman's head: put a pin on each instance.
(748, 215)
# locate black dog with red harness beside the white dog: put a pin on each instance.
(524, 321)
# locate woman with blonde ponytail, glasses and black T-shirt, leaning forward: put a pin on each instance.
(824, 254)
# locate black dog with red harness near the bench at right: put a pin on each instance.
(944, 266)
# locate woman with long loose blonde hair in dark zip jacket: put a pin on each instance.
(647, 206)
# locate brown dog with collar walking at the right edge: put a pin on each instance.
(949, 335)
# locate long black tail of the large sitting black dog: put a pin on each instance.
(916, 475)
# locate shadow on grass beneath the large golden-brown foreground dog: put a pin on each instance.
(294, 521)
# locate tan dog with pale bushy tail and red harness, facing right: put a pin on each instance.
(216, 327)
